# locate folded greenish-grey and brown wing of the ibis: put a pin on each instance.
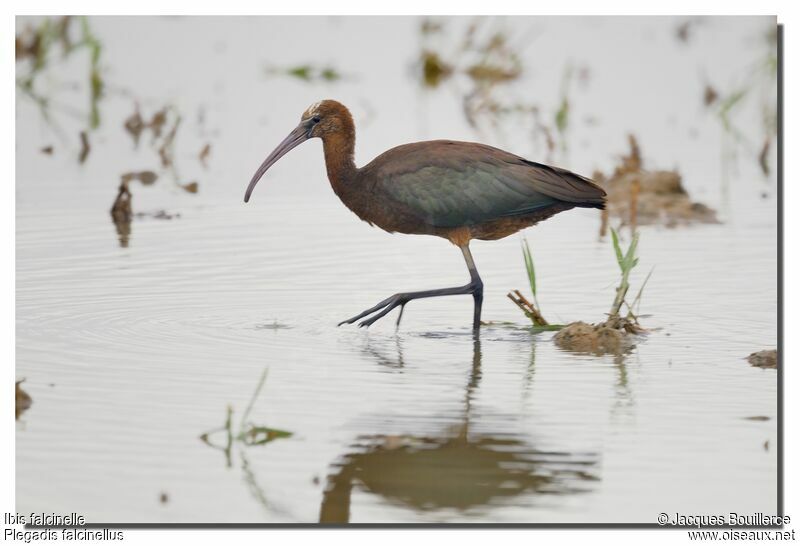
(448, 184)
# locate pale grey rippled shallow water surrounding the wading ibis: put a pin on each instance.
(131, 353)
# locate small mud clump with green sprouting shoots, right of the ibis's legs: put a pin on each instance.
(612, 336)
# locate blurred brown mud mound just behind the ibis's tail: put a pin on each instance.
(640, 197)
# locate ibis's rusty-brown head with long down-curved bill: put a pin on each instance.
(323, 119)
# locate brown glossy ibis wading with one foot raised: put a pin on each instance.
(456, 190)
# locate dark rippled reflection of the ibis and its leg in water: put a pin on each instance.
(455, 470)
